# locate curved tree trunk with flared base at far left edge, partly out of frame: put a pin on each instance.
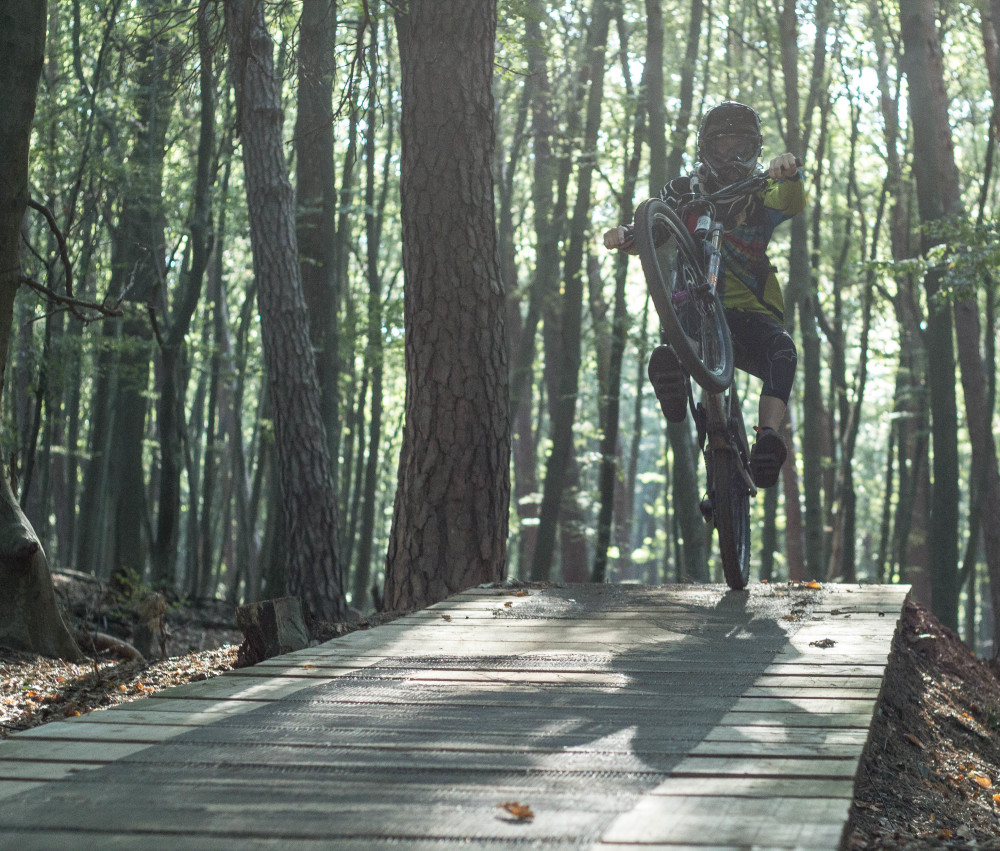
(29, 616)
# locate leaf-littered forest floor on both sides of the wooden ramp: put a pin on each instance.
(930, 777)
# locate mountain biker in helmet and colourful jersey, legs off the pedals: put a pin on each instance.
(729, 145)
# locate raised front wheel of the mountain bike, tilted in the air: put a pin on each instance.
(691, 314)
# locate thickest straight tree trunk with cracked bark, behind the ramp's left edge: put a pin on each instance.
(449, 528)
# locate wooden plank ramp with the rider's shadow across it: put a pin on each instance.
(623, 716)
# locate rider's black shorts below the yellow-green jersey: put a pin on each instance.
(762, 347)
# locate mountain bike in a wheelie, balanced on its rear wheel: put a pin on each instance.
(681, 270)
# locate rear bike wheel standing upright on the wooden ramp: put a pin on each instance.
(730, 498)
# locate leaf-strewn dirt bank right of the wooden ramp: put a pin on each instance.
(931, 773)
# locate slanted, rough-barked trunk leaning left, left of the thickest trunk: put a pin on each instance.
(308, 494)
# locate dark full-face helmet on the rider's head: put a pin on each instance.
(729, 142)
